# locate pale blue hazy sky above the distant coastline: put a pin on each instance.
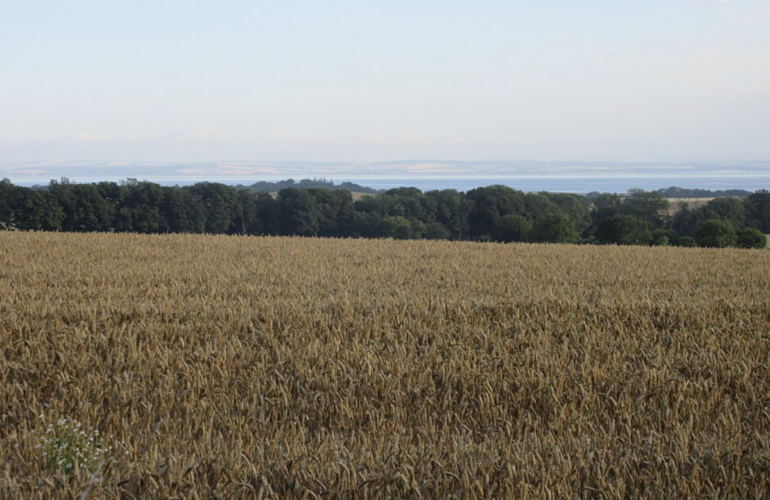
(333, 80)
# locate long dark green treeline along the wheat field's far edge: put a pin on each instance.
(494, 213)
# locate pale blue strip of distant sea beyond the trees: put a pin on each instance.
(556, 184)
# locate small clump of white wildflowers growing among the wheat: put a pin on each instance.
(66, 445)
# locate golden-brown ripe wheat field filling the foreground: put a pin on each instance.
(233, 367)
